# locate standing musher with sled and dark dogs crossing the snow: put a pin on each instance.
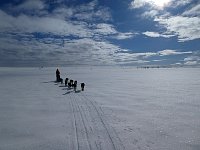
(68, 82)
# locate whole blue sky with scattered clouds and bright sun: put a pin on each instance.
(99, 32)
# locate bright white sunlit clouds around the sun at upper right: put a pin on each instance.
(185, 26)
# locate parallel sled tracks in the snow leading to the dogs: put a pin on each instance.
(90, 129)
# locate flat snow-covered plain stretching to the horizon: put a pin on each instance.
(121, 108)
